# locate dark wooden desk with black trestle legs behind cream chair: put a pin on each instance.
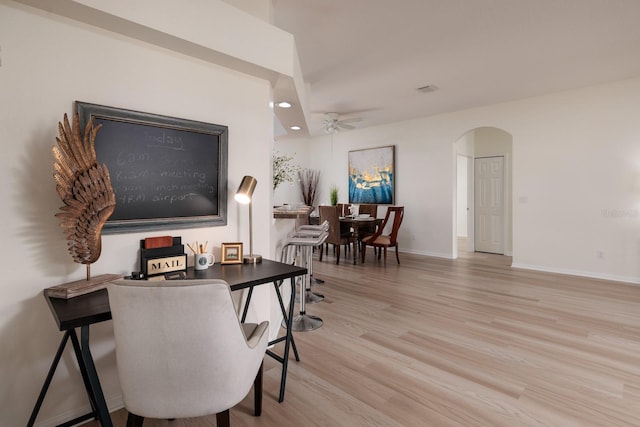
(85, 310)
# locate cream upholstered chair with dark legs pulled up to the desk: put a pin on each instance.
(181, 351)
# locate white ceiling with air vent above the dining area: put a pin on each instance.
(366, 58)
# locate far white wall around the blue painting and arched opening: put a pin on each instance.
(576, 185)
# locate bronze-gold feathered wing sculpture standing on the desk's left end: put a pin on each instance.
(85, 189)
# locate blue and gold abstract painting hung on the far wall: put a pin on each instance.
(372, 175)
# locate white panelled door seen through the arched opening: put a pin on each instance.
(489, 204)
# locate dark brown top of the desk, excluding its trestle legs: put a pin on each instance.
(94, 307)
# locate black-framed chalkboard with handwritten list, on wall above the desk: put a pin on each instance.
(166, 172)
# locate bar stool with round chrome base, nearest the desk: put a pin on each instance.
(304, 248)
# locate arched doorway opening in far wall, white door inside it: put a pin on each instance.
(483, 202)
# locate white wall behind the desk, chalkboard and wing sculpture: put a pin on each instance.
(48, 62)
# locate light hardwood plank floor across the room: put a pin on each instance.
(466, 342)
